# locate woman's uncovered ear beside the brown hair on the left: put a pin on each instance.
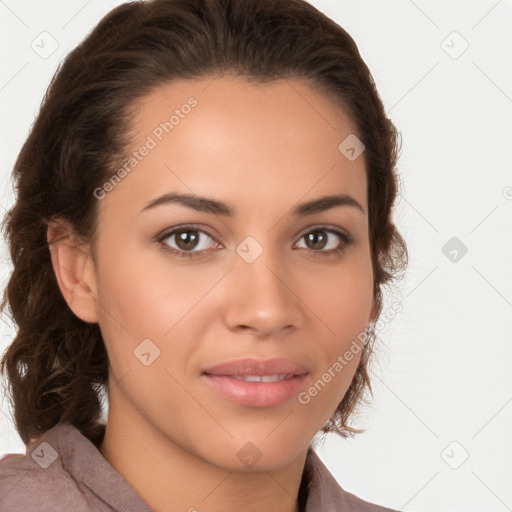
(74, 269)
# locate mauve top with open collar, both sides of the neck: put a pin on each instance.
(65, 472)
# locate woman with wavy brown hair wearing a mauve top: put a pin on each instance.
(203, 226)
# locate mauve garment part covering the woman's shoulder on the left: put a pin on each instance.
(63, 470)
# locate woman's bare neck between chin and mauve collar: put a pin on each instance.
(171, 479)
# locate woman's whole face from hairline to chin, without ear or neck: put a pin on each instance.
(265, 281)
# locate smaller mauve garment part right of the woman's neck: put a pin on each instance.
(325, 493)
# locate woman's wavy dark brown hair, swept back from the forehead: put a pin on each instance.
(57, 365)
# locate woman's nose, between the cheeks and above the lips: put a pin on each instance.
(261, 296)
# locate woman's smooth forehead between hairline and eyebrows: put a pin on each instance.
(226, 136)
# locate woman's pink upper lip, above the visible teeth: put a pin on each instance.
(251, 366)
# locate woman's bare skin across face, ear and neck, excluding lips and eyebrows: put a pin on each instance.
(262, 148)
